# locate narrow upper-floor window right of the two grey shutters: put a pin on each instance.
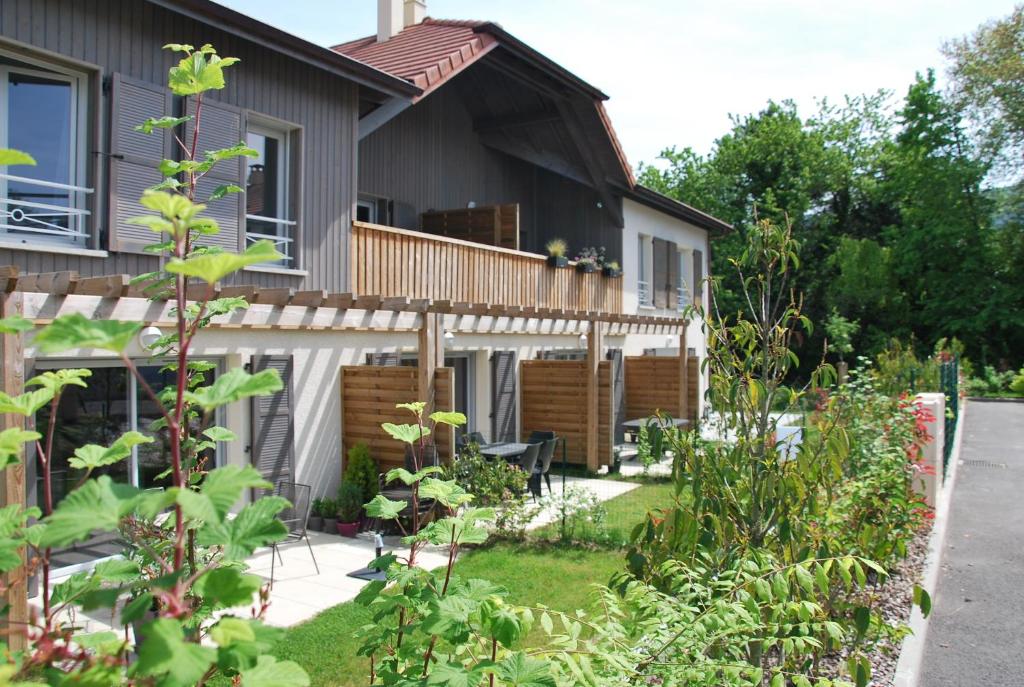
(269, 200)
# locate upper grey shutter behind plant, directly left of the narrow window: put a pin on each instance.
(222, 126)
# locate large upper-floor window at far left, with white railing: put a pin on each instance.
(42, 113)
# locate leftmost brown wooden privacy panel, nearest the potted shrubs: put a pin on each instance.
(369, 396)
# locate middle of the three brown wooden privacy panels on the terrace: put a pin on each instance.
(554, 399)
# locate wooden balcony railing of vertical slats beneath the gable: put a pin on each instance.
(395, 263)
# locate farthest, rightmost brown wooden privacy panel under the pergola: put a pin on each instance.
(653, 385)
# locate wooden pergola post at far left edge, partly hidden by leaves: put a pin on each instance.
(13, 480)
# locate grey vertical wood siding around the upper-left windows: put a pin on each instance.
(125, 37)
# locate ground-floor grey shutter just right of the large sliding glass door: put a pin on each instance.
(273, 423)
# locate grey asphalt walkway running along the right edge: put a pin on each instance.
(976, 633)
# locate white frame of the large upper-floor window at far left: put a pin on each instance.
(77, 211)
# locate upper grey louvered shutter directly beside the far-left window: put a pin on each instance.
(135, 159)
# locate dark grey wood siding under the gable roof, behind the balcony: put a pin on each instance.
(430, 158)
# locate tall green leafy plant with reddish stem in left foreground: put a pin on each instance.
(183, 572)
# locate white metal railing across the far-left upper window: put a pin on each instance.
(60, 222)
